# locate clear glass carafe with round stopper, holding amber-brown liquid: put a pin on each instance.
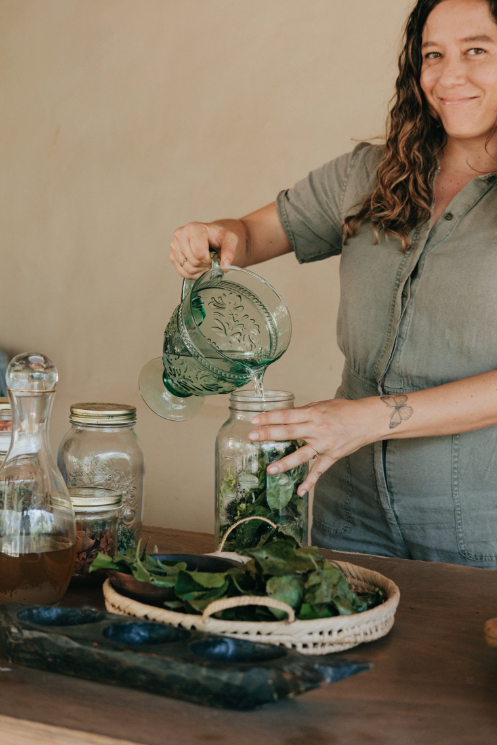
(37, 528)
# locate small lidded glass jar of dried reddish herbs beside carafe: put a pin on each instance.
(97, 520)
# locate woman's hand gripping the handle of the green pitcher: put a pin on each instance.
(191, 243)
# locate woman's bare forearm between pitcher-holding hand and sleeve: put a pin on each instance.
(260, 236)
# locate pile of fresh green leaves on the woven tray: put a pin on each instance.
(312, 585)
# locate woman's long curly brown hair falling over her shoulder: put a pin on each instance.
(402, 200)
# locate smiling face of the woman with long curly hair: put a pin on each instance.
(459, 71)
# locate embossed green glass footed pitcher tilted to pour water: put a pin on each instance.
(230, 325)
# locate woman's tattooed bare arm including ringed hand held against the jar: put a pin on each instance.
(336, 428)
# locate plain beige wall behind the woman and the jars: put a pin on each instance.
(124, 119)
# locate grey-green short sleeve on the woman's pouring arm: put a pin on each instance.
(311, 213)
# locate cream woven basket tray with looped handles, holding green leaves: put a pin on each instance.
(319, 636)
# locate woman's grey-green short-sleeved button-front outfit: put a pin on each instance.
(407, 321)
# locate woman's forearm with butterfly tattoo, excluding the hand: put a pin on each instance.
(461, 406)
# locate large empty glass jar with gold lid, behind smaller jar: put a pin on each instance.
(101, 450)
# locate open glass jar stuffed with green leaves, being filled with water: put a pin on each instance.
(243, 486)
